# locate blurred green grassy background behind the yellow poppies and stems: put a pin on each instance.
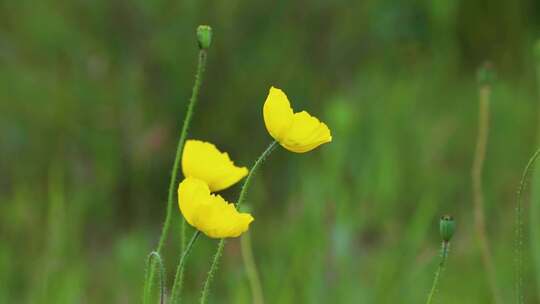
(93, 94)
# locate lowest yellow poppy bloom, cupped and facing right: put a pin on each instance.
(210, 213)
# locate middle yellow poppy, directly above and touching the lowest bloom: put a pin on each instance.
(204, 161)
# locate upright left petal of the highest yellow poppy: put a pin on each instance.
(278, 114)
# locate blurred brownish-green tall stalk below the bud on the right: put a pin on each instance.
(478, 195)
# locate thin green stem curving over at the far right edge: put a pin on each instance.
(519, 228)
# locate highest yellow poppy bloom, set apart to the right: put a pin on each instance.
(296, 132)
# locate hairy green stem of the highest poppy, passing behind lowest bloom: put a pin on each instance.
(241, 198)
